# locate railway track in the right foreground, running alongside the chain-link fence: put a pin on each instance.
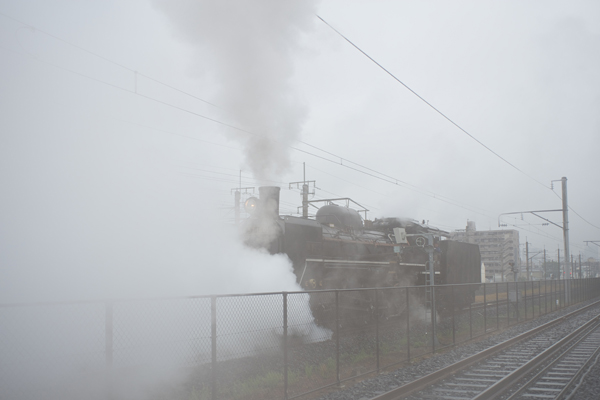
(545, 362)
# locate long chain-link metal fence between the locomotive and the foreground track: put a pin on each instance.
(253, 346)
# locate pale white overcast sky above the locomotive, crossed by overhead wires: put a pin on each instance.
(86, 162)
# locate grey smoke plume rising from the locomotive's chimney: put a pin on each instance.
(247, 47)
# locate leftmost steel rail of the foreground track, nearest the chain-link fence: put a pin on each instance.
(425, 381)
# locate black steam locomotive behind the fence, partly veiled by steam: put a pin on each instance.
(339, 250)
